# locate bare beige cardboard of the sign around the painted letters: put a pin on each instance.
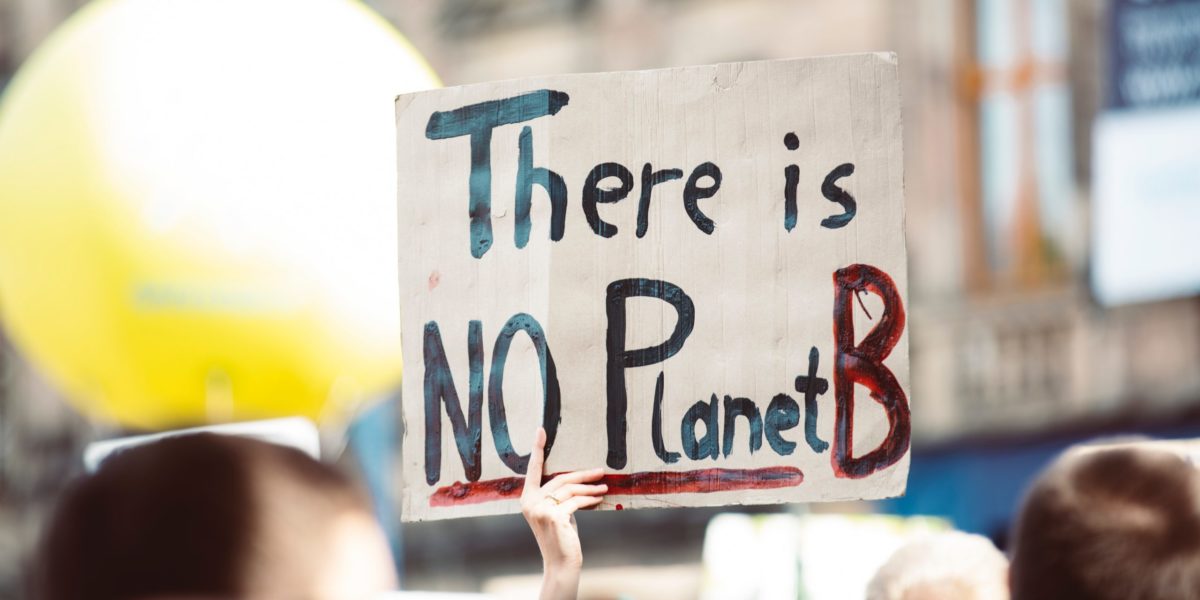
(764, 296)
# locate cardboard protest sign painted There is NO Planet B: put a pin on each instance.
(694, 278)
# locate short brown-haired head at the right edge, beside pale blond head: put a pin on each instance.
(1120, 524)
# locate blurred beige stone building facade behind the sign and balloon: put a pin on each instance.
(1009, 344)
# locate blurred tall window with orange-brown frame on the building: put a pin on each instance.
(1018, 88)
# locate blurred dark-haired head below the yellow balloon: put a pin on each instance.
(212, 517)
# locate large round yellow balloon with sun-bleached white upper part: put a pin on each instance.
(197, 209)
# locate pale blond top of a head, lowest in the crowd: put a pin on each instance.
(952, 566)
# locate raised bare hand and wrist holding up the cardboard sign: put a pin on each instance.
(550, 509)
